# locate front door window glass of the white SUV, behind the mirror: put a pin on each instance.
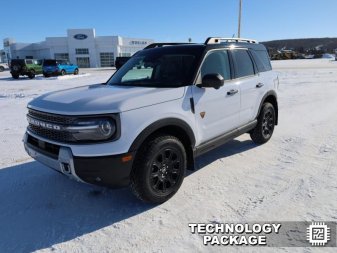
(216, 62)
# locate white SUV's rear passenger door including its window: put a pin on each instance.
(247, 78)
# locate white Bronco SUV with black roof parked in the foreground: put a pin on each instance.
(168, 104)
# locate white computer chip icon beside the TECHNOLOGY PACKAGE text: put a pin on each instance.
(318, 234)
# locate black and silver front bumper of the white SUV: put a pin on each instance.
(110, 171)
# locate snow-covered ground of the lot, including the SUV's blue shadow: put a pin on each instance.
(291, 178)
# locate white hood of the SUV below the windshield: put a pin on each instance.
(101, 99)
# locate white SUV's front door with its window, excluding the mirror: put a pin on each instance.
(216, 110)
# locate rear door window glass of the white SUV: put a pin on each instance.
(243, 63)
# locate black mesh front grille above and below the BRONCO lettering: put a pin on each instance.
(51, 134)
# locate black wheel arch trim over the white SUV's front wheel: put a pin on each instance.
(170, 126)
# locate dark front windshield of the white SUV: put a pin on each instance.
(160, 67)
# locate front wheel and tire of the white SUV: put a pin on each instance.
(159, 169)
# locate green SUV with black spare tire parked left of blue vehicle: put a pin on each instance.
(25, 67)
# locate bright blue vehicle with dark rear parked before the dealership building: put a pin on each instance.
(58, 67)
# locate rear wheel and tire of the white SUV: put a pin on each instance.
(265, 125)
